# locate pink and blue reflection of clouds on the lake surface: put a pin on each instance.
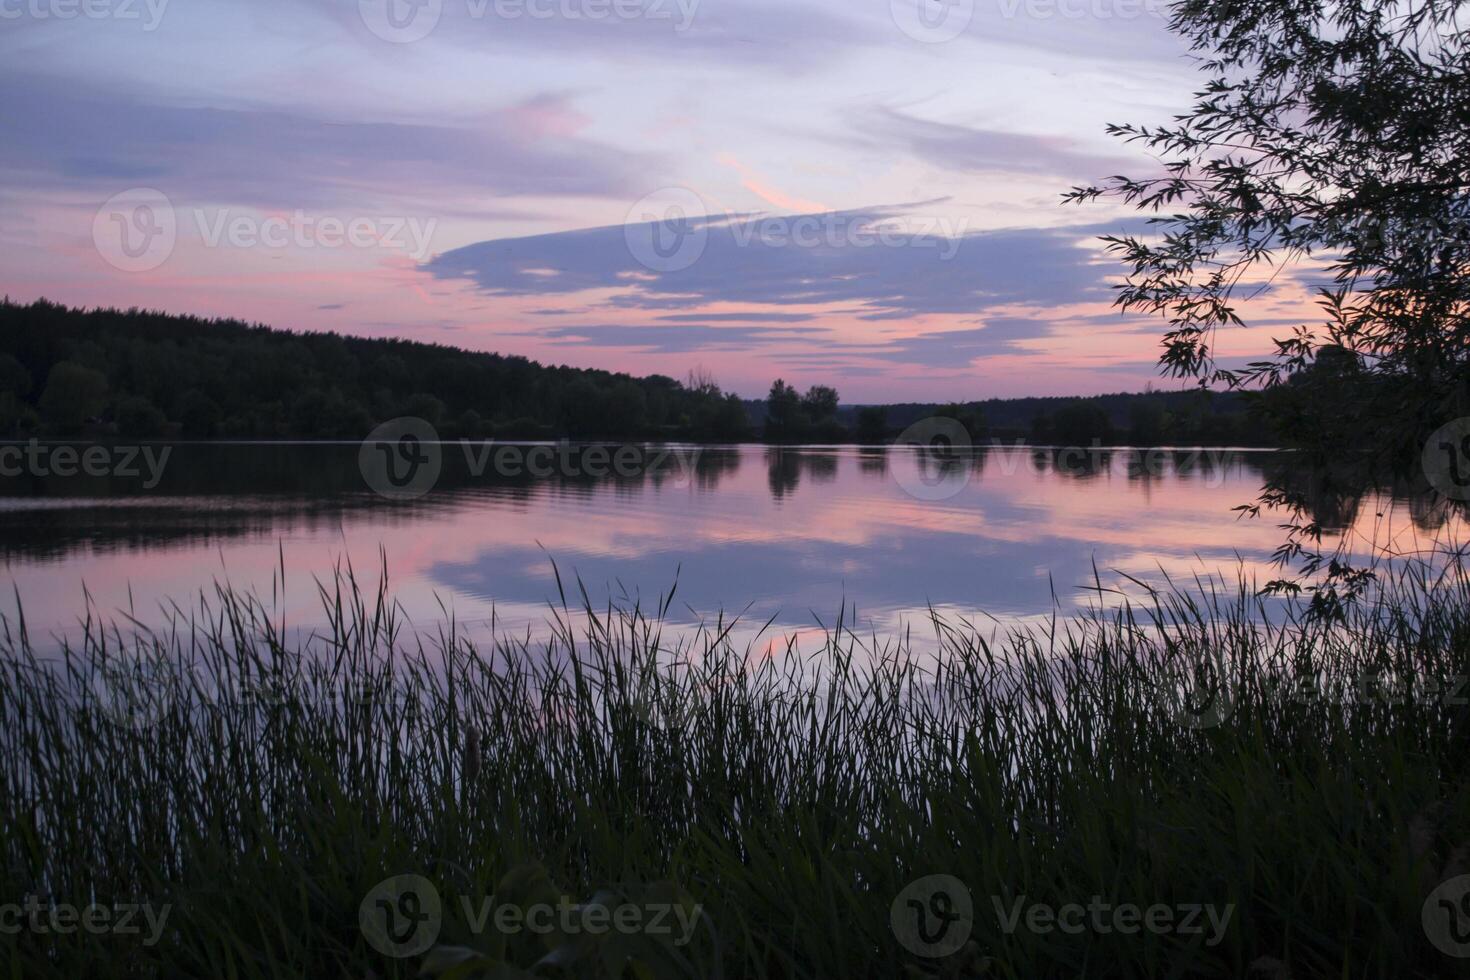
(793, 534)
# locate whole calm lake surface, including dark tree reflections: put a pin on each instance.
(792, 536)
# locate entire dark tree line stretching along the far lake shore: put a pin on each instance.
(139, 374)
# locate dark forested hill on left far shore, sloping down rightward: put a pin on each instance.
(143, 375)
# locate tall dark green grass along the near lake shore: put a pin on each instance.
(1165, 752)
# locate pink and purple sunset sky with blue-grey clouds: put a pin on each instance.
(861, 193)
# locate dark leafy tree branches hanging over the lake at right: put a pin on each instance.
(1331, 140)
